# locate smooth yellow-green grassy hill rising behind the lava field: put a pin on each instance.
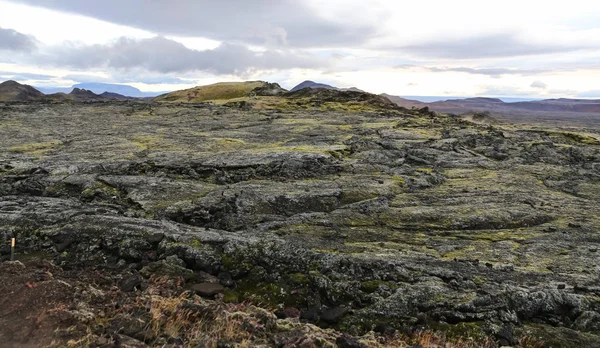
(217, 91)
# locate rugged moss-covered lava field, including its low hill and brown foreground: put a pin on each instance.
(243, 214)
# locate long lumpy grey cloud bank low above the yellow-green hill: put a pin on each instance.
(161, 55)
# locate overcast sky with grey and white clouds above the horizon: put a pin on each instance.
(529, 49)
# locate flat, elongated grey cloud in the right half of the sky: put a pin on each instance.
(488, 46)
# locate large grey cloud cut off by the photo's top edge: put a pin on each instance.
(276, 22)
